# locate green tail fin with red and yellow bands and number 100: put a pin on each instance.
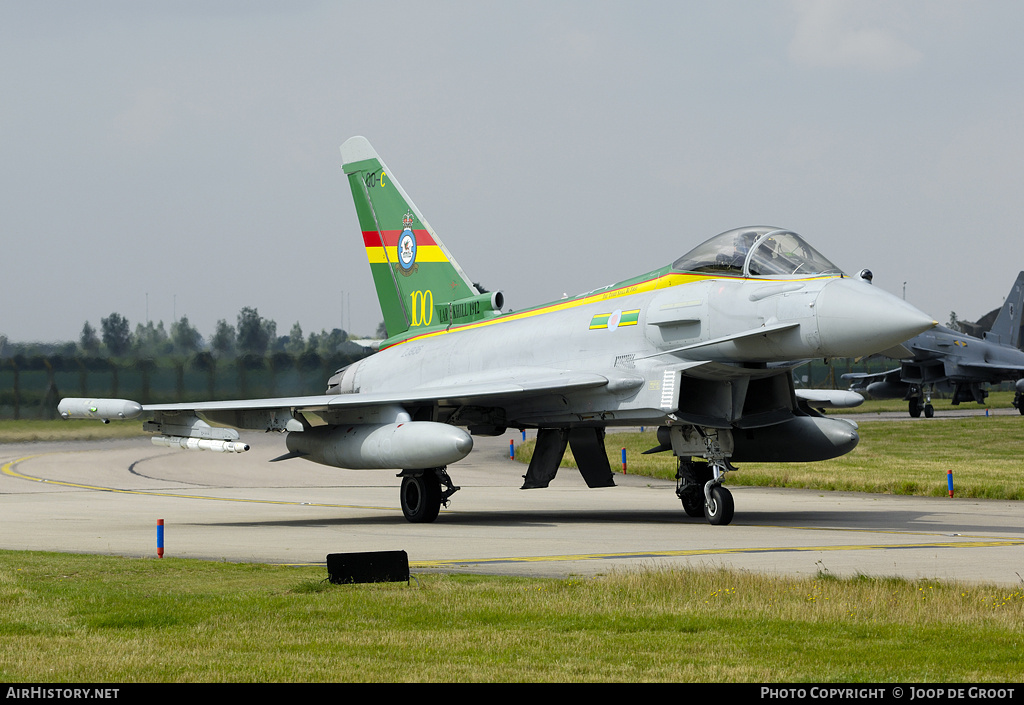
(419, 284)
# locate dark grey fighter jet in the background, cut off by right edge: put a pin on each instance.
(950, 361)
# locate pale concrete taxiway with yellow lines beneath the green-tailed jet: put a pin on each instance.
(106, 497)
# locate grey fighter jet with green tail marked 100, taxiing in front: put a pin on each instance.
(703, 348)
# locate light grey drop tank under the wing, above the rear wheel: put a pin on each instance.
(395, 446)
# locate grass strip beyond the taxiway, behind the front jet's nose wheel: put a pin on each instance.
(893, 458)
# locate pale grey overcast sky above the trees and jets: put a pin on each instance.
(161, 159)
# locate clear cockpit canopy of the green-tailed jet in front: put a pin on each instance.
(758, 252)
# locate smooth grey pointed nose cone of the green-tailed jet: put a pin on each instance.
(857, 319)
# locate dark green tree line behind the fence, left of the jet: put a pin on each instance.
(154, 365)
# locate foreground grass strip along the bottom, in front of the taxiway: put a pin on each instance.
(101, 619)
